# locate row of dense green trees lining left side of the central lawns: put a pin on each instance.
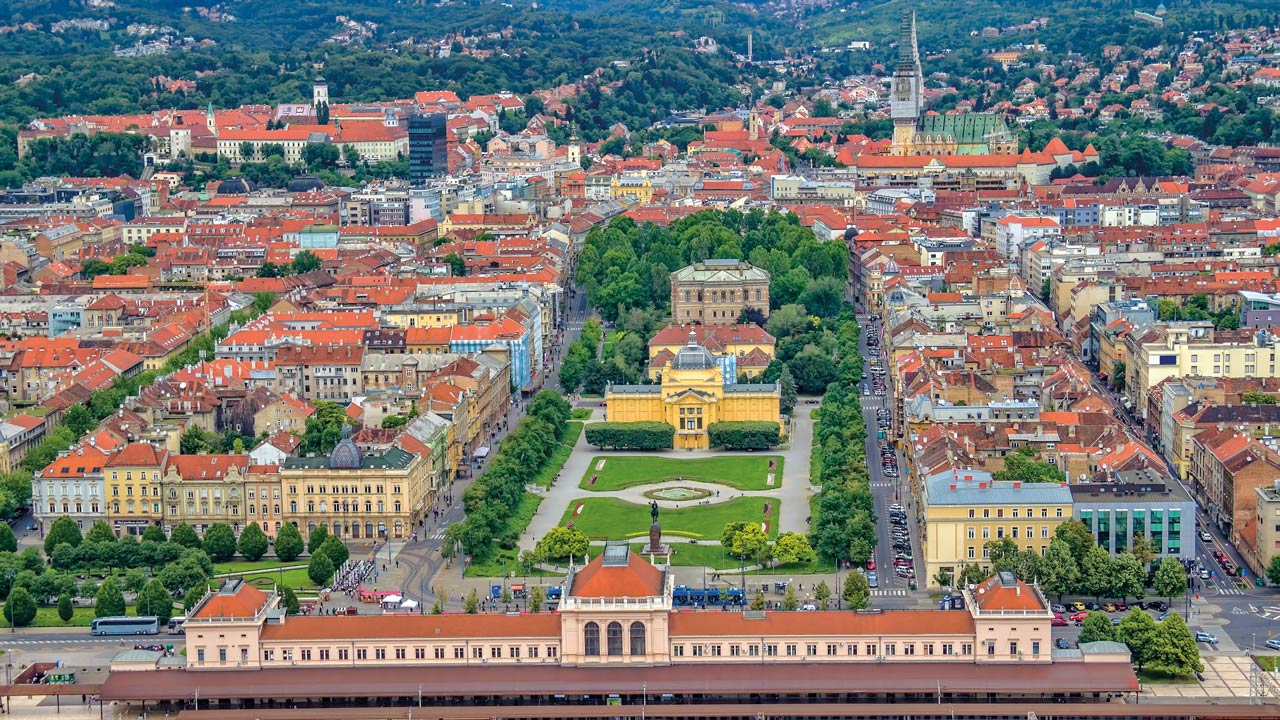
(495, 499)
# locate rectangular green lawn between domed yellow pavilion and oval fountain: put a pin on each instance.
(742, 472)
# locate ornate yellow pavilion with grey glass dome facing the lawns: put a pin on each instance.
(693, 395)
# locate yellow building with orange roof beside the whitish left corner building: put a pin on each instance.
(132, 484)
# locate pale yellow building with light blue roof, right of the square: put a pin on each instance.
(966, 509)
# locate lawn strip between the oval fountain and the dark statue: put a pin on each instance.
(616, 520)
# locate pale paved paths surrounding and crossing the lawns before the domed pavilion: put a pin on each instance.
(794, 493)
